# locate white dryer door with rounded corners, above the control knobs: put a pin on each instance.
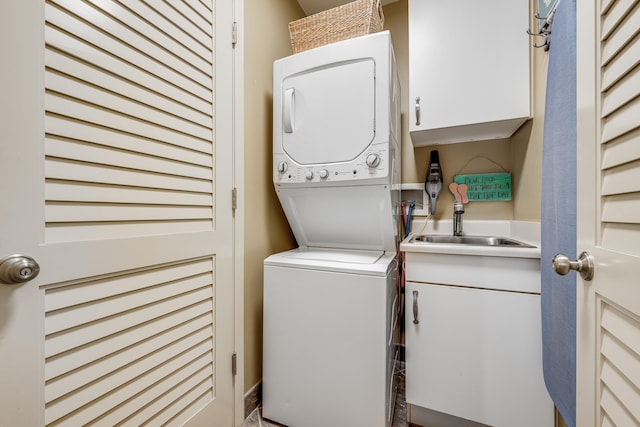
(328, 113)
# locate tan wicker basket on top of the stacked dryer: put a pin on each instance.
(350, 20)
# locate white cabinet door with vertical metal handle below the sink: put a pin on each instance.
(476, 354)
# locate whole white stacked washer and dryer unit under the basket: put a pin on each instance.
(330, 305)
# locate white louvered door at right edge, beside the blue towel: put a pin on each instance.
(608, 312)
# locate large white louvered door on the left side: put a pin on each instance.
(116, 172)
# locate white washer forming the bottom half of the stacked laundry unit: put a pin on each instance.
(329, 338)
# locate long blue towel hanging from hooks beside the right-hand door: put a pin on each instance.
(558, 214)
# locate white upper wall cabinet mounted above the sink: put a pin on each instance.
(469, 70)
